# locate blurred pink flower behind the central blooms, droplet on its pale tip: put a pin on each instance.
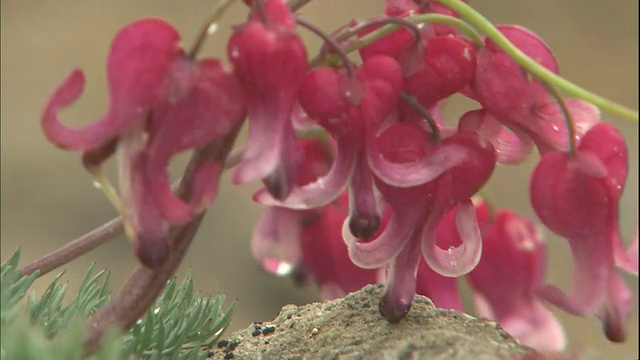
(308, 242)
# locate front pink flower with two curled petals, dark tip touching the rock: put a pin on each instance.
(422, 181)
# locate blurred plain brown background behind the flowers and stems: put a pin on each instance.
(48, 199)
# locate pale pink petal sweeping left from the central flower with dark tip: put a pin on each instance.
(323, 190)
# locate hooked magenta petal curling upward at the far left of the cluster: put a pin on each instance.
(84, 138)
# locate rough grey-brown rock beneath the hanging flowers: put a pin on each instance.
(352, 328)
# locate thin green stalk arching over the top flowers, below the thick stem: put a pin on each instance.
(417, 19)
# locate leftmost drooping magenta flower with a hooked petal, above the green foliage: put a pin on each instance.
(161, 103)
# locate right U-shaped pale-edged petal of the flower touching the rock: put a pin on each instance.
(456, 261)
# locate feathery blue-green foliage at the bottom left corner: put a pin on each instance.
(179, 325)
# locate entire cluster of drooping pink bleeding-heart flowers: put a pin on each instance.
(388, 192)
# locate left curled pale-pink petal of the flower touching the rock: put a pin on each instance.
(381, 250)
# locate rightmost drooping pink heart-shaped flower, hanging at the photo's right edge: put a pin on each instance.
(577, 196)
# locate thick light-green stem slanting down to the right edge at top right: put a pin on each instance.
(485, 26)
